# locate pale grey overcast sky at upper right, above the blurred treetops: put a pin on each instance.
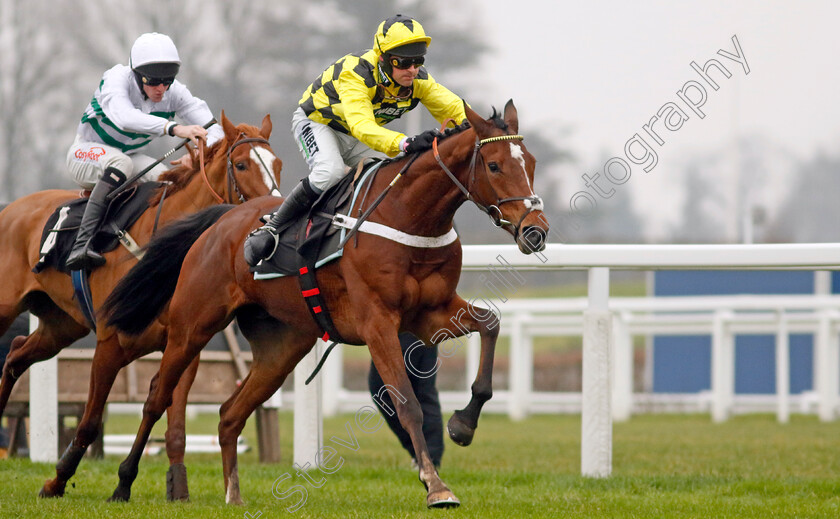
(604, 68)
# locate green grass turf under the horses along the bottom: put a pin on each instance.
(663, 466)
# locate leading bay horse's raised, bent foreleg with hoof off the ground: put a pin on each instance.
(459, 319)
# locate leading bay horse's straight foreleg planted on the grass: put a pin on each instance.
(387, 357)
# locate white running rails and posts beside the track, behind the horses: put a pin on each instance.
(607, 325)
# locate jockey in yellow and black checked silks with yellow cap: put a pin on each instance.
(340, 117)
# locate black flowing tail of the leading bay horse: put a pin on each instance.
(141, 295)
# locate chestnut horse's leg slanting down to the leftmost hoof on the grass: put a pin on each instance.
(108, 359)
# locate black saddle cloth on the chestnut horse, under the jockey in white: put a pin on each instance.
(62, 226)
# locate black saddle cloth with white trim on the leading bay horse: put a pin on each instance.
(314, 240)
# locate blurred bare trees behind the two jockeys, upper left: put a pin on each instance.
(248, 58)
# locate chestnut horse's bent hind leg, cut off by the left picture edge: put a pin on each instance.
(56, 330)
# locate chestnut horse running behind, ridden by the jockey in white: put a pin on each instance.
(241, 166)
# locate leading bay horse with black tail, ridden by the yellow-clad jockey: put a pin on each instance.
(375, 290)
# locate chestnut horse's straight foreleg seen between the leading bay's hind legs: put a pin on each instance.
(176, 439)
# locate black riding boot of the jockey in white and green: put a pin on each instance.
(81, 256)
